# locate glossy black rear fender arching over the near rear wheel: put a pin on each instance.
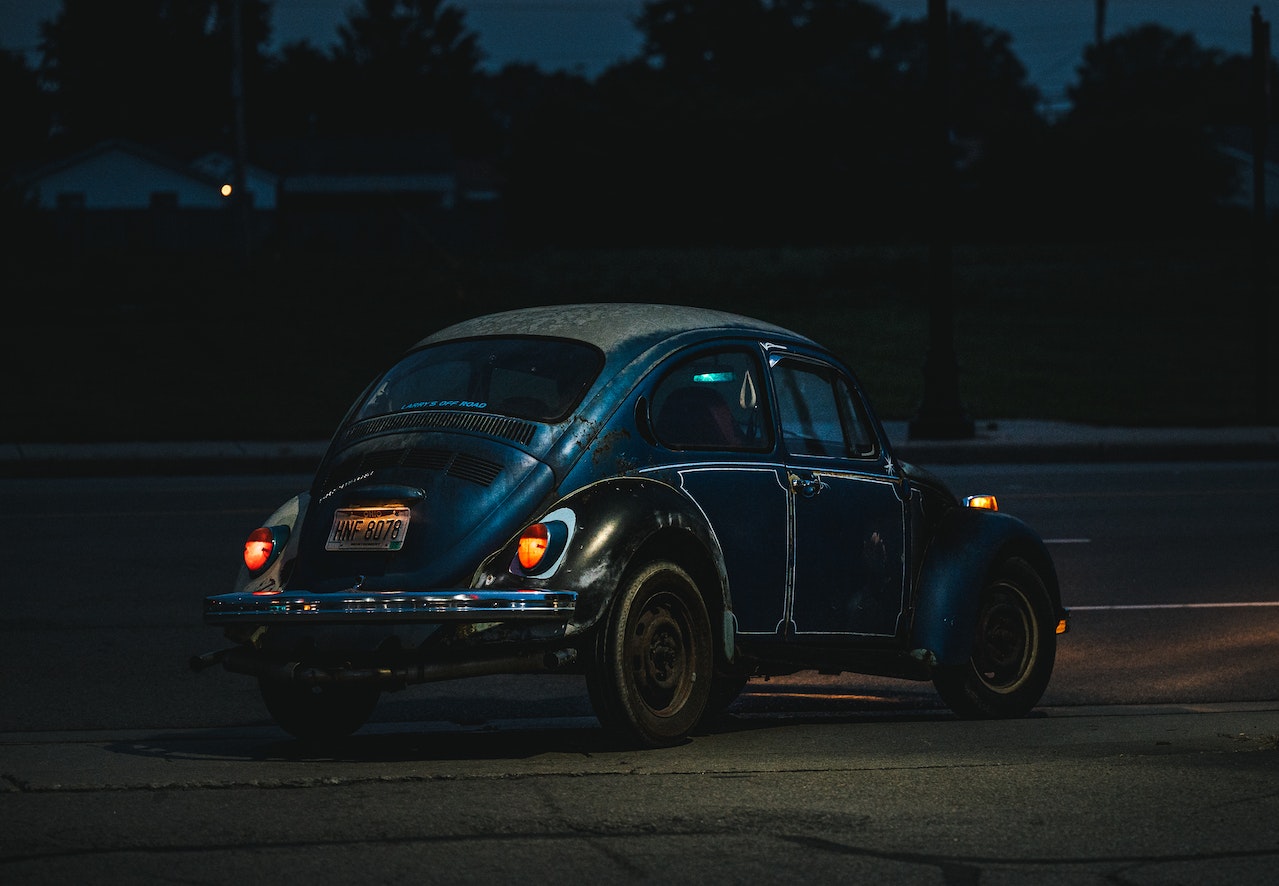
(616, 522)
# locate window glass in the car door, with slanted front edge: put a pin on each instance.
(819, 414)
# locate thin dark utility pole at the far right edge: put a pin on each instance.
(1260, 221)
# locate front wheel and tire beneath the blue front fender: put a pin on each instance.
(1014, 649)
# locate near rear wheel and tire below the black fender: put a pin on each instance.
(652, 674)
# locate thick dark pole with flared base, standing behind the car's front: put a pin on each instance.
(942, 415)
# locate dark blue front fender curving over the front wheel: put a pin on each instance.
(957, 564)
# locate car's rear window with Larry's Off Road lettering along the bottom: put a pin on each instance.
(521, 377)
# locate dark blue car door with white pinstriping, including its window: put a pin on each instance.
(847, 509)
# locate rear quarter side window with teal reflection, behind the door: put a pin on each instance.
(714, 401)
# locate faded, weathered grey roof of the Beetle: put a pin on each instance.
(612, 328)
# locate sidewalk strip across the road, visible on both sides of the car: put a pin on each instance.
(994, 443)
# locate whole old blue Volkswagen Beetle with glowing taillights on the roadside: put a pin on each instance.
(667, 501)
